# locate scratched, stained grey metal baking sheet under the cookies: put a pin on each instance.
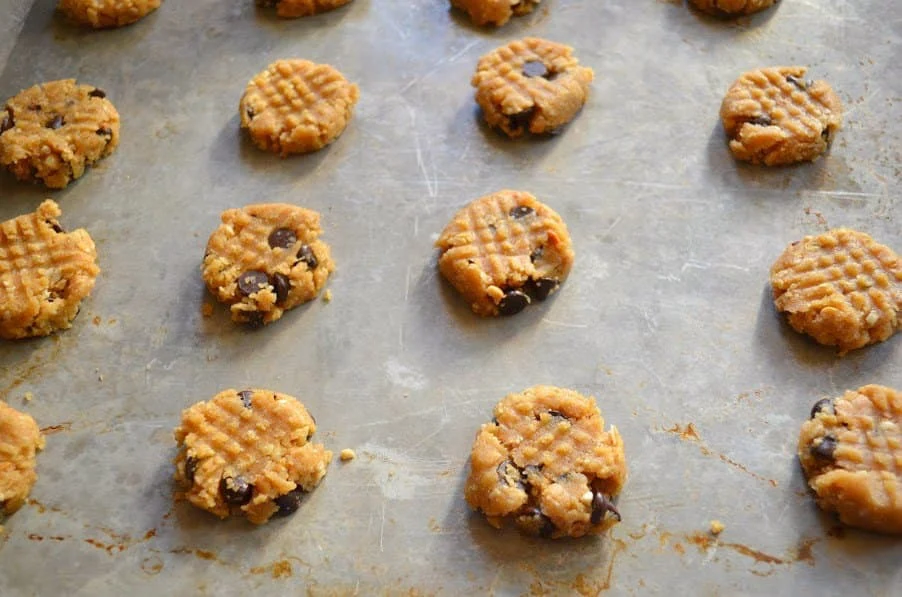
(665, 318)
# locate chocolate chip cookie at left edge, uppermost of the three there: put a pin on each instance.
(53, 131)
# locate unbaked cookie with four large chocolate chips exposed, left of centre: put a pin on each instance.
(265, 259)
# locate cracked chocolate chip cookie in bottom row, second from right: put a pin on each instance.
(546, 463)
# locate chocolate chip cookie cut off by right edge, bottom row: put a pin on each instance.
(851, 453)
